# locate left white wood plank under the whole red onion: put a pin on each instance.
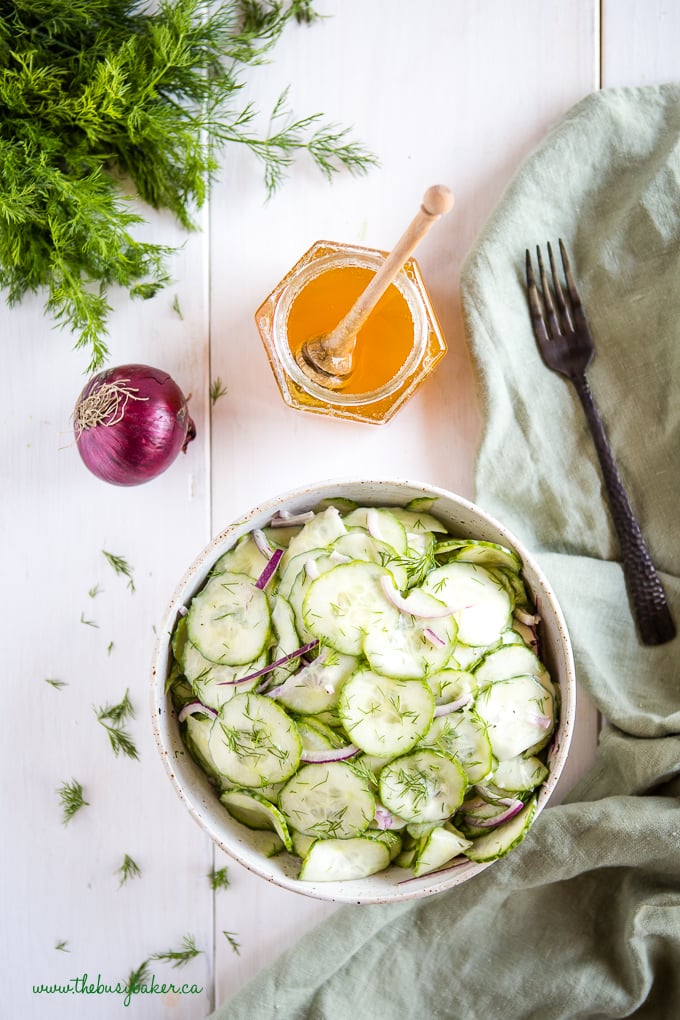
(61, 883)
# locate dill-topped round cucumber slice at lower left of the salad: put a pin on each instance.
(253, 742)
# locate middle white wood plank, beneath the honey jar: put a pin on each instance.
(487, 82)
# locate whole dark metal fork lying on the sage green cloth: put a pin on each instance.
(567, 347)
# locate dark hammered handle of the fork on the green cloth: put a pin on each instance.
(646, 591)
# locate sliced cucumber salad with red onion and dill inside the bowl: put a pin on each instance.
(367, 689)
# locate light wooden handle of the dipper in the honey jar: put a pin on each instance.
(437, 202)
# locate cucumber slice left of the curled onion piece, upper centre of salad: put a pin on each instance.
(344, 604)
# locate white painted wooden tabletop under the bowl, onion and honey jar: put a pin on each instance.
(446, 91)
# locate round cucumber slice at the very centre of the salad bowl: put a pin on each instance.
(383, 717)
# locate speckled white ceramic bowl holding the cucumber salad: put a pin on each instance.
(462, 519)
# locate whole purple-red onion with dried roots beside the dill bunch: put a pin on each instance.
(131, 423)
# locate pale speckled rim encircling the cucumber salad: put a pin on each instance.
(176, 758)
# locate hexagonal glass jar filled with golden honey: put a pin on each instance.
(423, 343)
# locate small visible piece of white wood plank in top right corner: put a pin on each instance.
(641, 42)
